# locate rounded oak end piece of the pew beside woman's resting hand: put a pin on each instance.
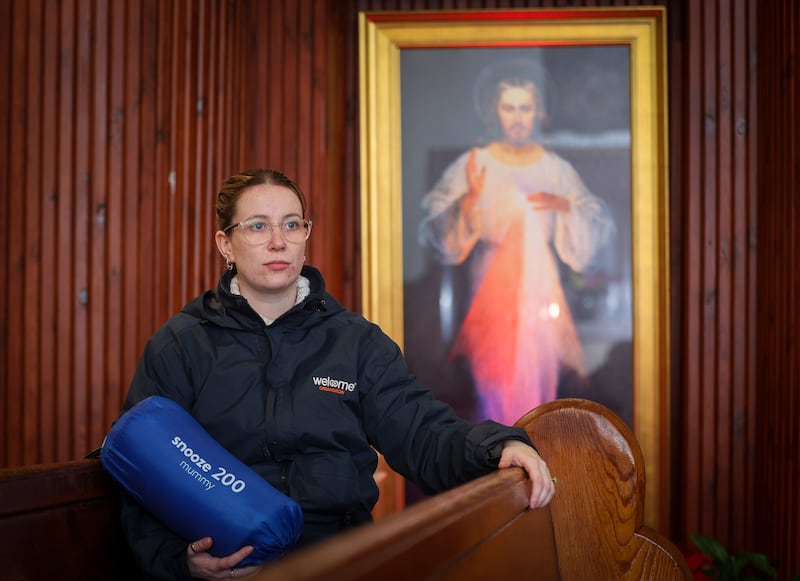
(598, 509)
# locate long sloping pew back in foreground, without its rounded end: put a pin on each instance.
(481, 530)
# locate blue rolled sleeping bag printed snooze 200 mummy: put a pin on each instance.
(186, 479)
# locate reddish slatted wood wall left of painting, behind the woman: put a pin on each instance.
(120, 121)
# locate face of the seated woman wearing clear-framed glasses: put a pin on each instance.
(272, 267)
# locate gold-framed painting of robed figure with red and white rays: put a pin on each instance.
(515, 213)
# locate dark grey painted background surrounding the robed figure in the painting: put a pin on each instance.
(588, 124)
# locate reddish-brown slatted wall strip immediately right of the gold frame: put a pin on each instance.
(718, 154)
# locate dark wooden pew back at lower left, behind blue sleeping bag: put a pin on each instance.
(61, 522)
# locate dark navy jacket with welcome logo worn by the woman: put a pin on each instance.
(303, 402)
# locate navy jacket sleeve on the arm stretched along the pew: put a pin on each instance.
(421, 437)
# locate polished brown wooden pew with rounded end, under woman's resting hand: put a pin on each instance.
(593, 529)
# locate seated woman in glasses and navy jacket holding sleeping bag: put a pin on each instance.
(269, 337)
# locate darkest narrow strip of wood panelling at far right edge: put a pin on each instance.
(778, 337)
